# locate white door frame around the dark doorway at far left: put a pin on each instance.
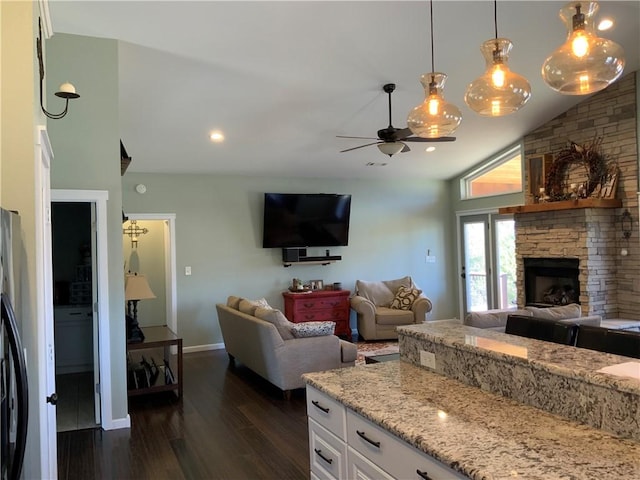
(99, 198)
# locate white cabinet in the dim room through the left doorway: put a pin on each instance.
(73, 330)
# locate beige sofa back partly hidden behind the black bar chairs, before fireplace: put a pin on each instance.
(497, 319)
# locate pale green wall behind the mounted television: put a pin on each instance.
(219, 234)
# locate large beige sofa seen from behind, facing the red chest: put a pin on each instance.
(258, 343)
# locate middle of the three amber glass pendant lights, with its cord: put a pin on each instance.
(499, 91)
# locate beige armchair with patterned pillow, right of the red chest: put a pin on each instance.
(373, 302)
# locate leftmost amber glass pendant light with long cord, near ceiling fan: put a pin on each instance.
(435, 117)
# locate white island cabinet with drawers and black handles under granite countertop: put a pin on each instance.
(345, 445)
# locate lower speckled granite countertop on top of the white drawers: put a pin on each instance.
(482, 435)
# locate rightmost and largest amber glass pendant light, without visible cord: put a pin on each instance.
(585, 63)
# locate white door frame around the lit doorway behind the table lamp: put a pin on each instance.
(169, 220)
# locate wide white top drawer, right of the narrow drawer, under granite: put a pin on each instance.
(393, 455)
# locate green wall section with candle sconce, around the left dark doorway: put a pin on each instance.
(86, 144)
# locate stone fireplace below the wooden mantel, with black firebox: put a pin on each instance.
(552, 242)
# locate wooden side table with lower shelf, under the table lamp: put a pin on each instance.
(154, 338)
